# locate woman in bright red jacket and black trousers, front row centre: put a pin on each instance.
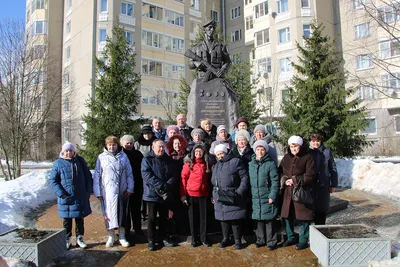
(195, 190)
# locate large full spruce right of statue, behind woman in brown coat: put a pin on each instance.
(318, 100)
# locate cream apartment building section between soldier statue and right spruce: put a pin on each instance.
(272, 29)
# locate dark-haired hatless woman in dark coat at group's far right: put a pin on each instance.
(326, 176)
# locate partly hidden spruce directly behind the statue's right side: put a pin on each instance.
(239, 76)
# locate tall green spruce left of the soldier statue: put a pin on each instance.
(115, 100)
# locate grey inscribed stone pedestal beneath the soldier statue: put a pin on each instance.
(212, 100)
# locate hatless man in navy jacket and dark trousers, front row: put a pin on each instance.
(159, 179)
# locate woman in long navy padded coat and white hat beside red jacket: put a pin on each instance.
(229, 177)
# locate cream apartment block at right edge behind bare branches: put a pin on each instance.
(370, 49)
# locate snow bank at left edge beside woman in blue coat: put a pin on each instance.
(20, 196)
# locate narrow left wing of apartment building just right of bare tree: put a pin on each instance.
(44, 31)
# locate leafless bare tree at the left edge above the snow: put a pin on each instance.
(30, 89)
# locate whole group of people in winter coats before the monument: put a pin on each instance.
(179, 171)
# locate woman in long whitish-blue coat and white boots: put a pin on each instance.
(112, 185)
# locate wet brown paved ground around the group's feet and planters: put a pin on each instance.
(378, 212)
